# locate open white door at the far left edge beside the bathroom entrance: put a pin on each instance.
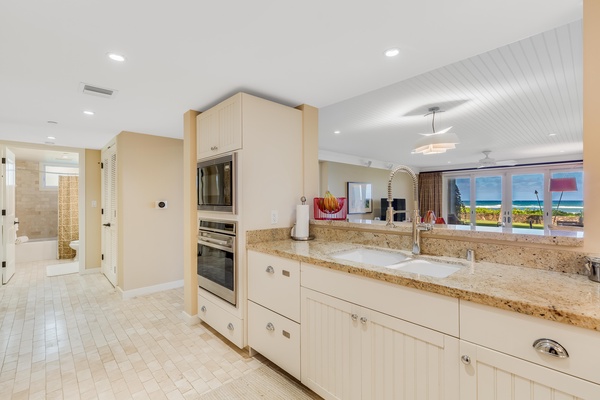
(7, 204)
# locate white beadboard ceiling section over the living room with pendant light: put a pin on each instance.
(508, 100)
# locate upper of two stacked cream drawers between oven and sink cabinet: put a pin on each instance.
(274, 282)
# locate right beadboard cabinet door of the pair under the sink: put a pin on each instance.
(407, 361)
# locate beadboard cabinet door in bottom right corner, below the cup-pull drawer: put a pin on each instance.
(488, 374)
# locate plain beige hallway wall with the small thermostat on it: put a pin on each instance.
(149, 168)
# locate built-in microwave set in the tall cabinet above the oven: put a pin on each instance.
(215, 181)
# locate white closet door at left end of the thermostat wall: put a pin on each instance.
(109, 214)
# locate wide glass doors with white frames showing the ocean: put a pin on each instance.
(515, 197)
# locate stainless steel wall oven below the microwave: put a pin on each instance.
(217, 264)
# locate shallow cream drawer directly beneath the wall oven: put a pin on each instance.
(222, 321)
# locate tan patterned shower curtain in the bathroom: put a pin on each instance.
(68, 215)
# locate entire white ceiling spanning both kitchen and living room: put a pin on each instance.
(329, 54)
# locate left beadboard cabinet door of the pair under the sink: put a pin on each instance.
(330, 346)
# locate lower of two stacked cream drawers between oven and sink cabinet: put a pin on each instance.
(275, 337)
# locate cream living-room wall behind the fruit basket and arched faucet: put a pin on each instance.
(335, 176)
